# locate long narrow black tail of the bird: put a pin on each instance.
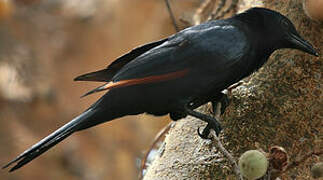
(51, 140)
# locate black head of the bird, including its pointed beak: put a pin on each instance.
(276, 29)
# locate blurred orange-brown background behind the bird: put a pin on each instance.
(44, 44)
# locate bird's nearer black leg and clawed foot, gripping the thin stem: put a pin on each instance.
(212, 123)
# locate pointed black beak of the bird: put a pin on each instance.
(301, 44)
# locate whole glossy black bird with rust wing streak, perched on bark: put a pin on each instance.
(179, 73)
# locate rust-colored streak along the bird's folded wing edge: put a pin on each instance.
(144, 80)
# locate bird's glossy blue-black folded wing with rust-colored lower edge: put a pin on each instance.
(192, 52)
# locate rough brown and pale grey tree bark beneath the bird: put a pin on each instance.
(281, 104)
